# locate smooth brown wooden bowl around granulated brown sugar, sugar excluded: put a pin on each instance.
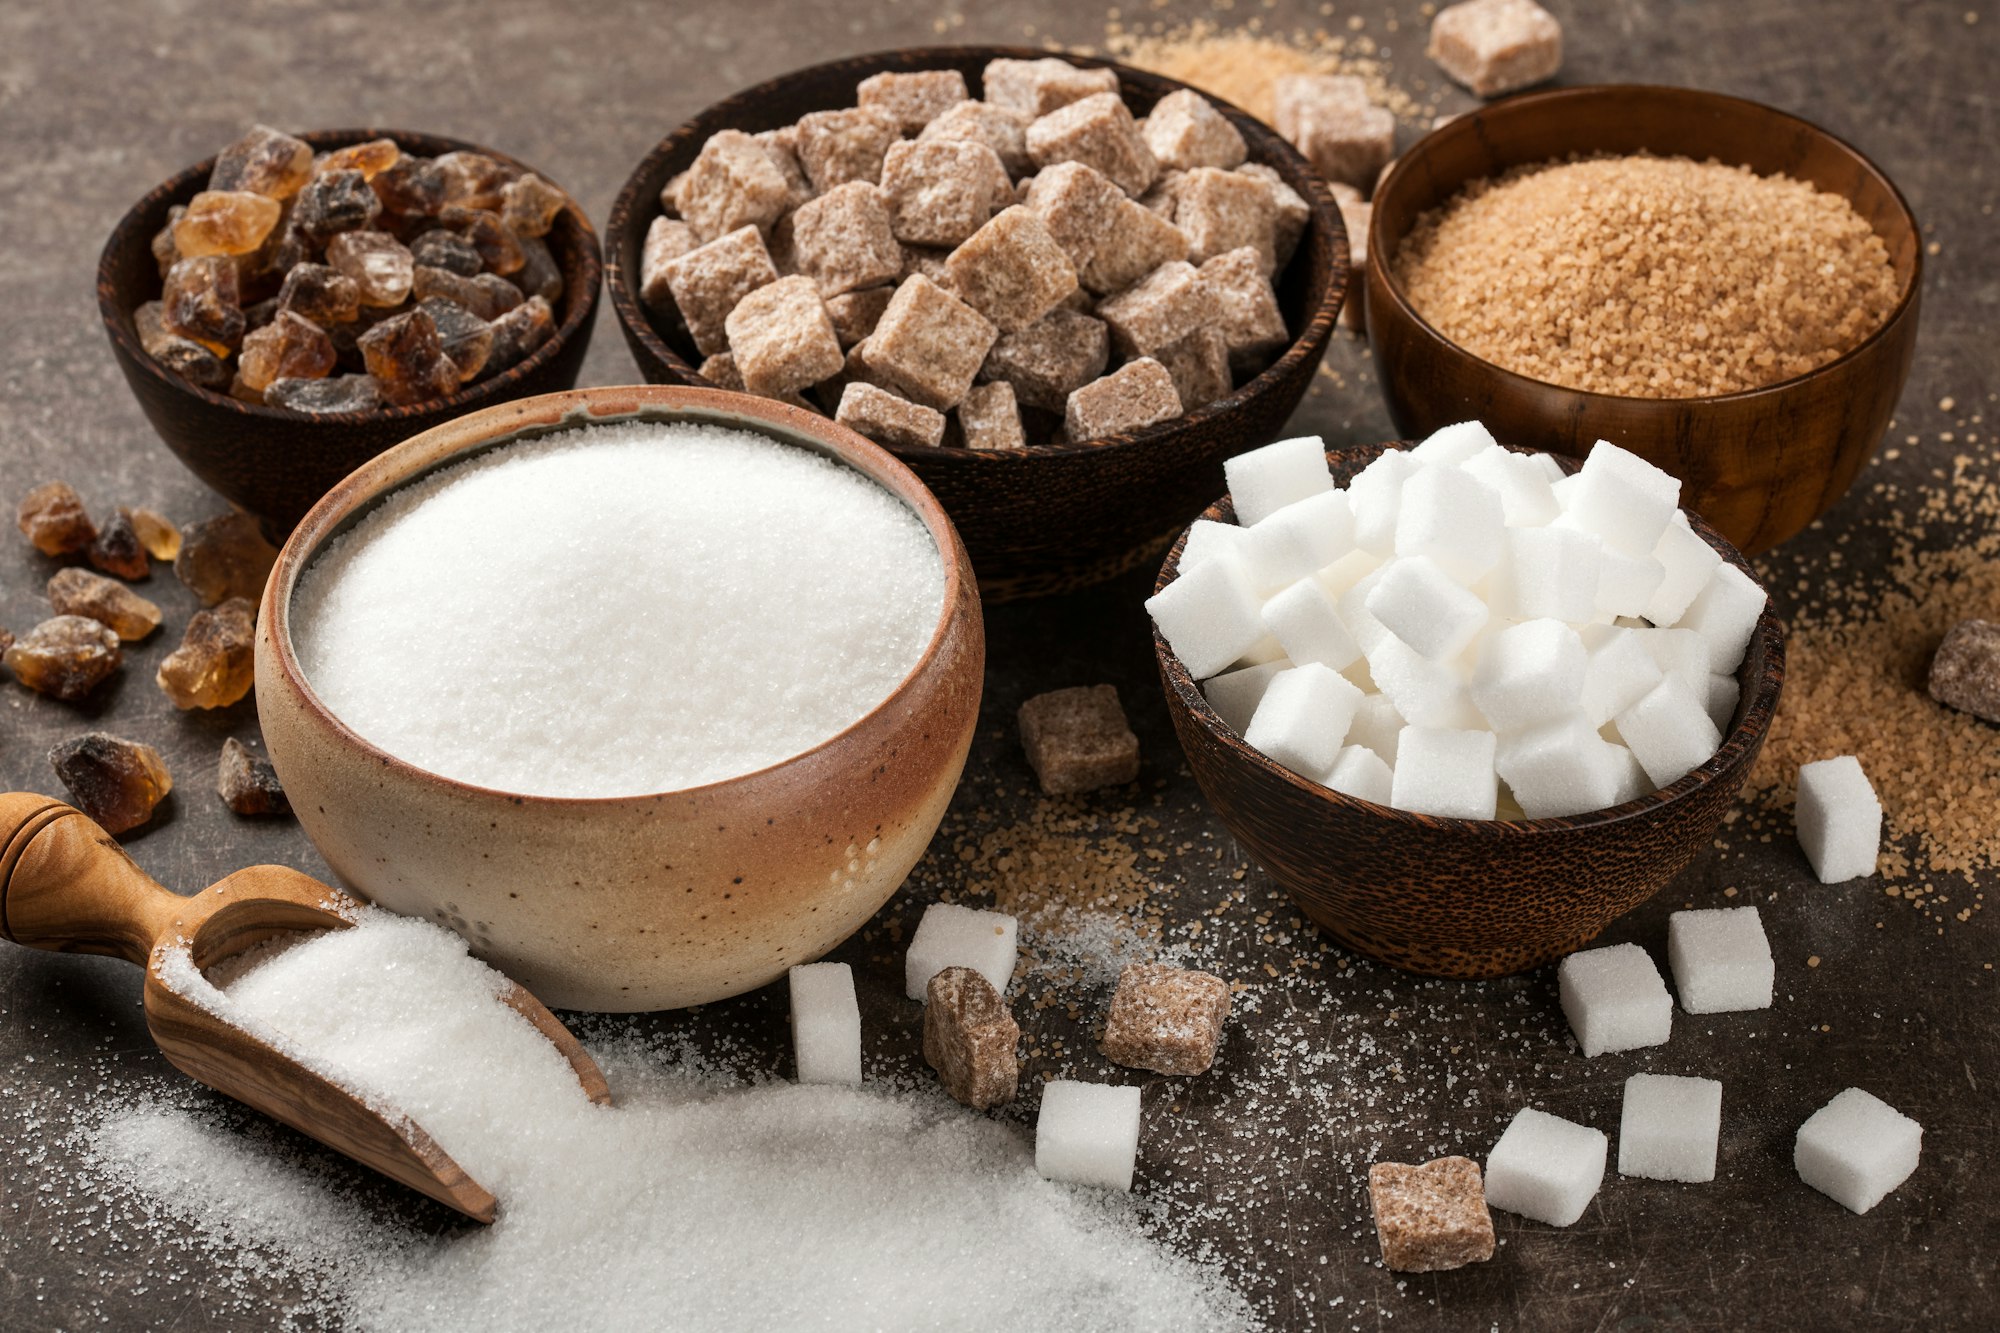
(1761, 465)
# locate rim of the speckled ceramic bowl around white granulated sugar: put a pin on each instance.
(503, 425)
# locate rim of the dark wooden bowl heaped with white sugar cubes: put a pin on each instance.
(1741, 744)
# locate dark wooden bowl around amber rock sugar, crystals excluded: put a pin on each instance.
(275, 463)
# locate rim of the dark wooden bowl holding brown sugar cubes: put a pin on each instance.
(1307, 345)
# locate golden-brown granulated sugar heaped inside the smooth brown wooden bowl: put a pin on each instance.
(1649, 277)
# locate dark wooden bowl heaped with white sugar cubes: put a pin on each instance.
(1467, 704)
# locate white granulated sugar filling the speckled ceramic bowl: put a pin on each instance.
(619, 611)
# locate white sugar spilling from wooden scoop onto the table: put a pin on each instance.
(691, 1202)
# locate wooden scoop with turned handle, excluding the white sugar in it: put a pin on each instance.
(67, 886)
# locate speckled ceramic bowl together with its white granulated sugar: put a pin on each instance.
(649, 694)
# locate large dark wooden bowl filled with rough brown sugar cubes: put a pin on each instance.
(1059, 289)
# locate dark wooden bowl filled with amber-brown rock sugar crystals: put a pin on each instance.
(299, 303)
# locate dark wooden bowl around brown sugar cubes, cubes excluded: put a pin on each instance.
(1051, 517)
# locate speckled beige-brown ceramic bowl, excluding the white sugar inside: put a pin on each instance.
(637, 902)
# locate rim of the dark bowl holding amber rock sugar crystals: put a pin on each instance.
(131, 233)
